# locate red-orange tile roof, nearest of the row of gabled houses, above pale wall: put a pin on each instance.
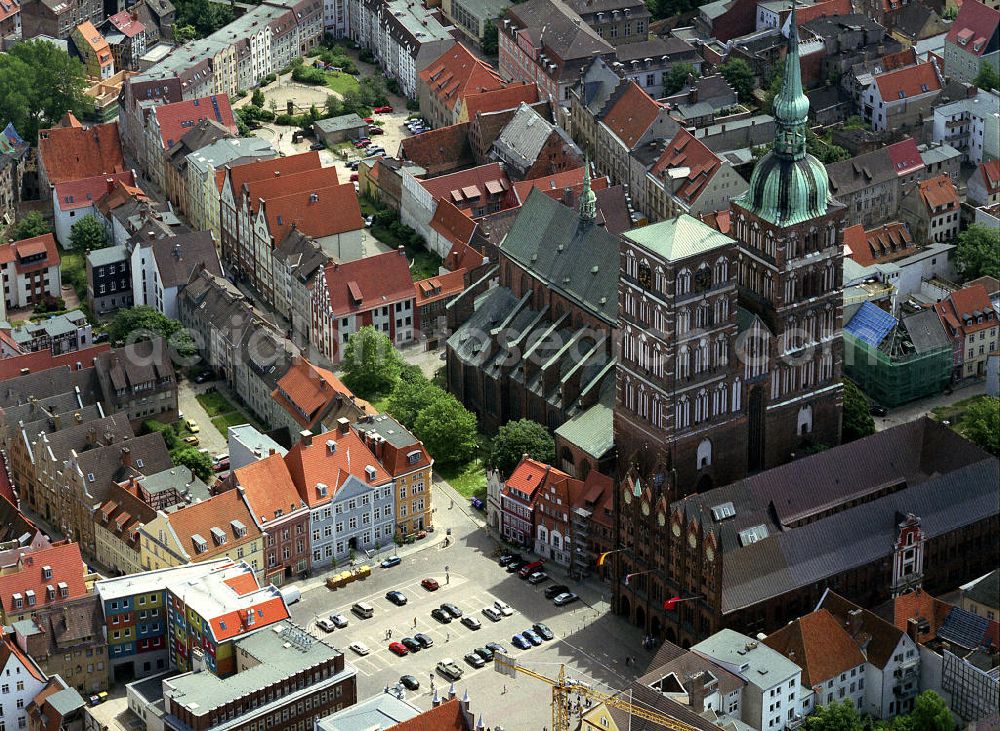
(318, 212)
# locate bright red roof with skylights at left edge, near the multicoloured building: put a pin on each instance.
(67, 568)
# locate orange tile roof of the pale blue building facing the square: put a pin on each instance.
(316, 463)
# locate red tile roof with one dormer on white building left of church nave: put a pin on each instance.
(375, 281)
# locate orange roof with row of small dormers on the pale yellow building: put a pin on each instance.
(217, 512)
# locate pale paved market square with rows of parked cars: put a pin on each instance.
(473, 581)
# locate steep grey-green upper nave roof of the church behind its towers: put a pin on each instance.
(572, 257)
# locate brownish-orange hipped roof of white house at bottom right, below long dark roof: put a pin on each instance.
(819, 645)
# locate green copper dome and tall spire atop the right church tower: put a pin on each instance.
(789, 185)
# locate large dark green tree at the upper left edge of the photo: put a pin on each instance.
(39, 83)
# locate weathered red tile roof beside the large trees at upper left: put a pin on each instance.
(71, 153)
